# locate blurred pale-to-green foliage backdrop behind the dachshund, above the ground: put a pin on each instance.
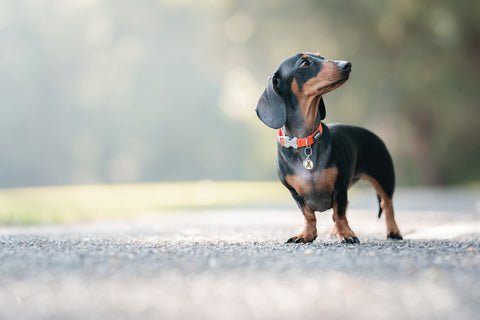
(99, 91)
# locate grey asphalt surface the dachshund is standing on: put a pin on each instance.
(233, 264)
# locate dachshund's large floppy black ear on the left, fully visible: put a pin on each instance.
(271, 108)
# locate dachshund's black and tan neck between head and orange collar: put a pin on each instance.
(303, 117)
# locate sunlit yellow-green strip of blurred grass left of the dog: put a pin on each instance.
(69, 204)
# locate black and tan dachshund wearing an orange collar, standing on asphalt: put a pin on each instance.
(318, 162)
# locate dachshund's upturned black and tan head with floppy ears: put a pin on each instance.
(298, 81)
